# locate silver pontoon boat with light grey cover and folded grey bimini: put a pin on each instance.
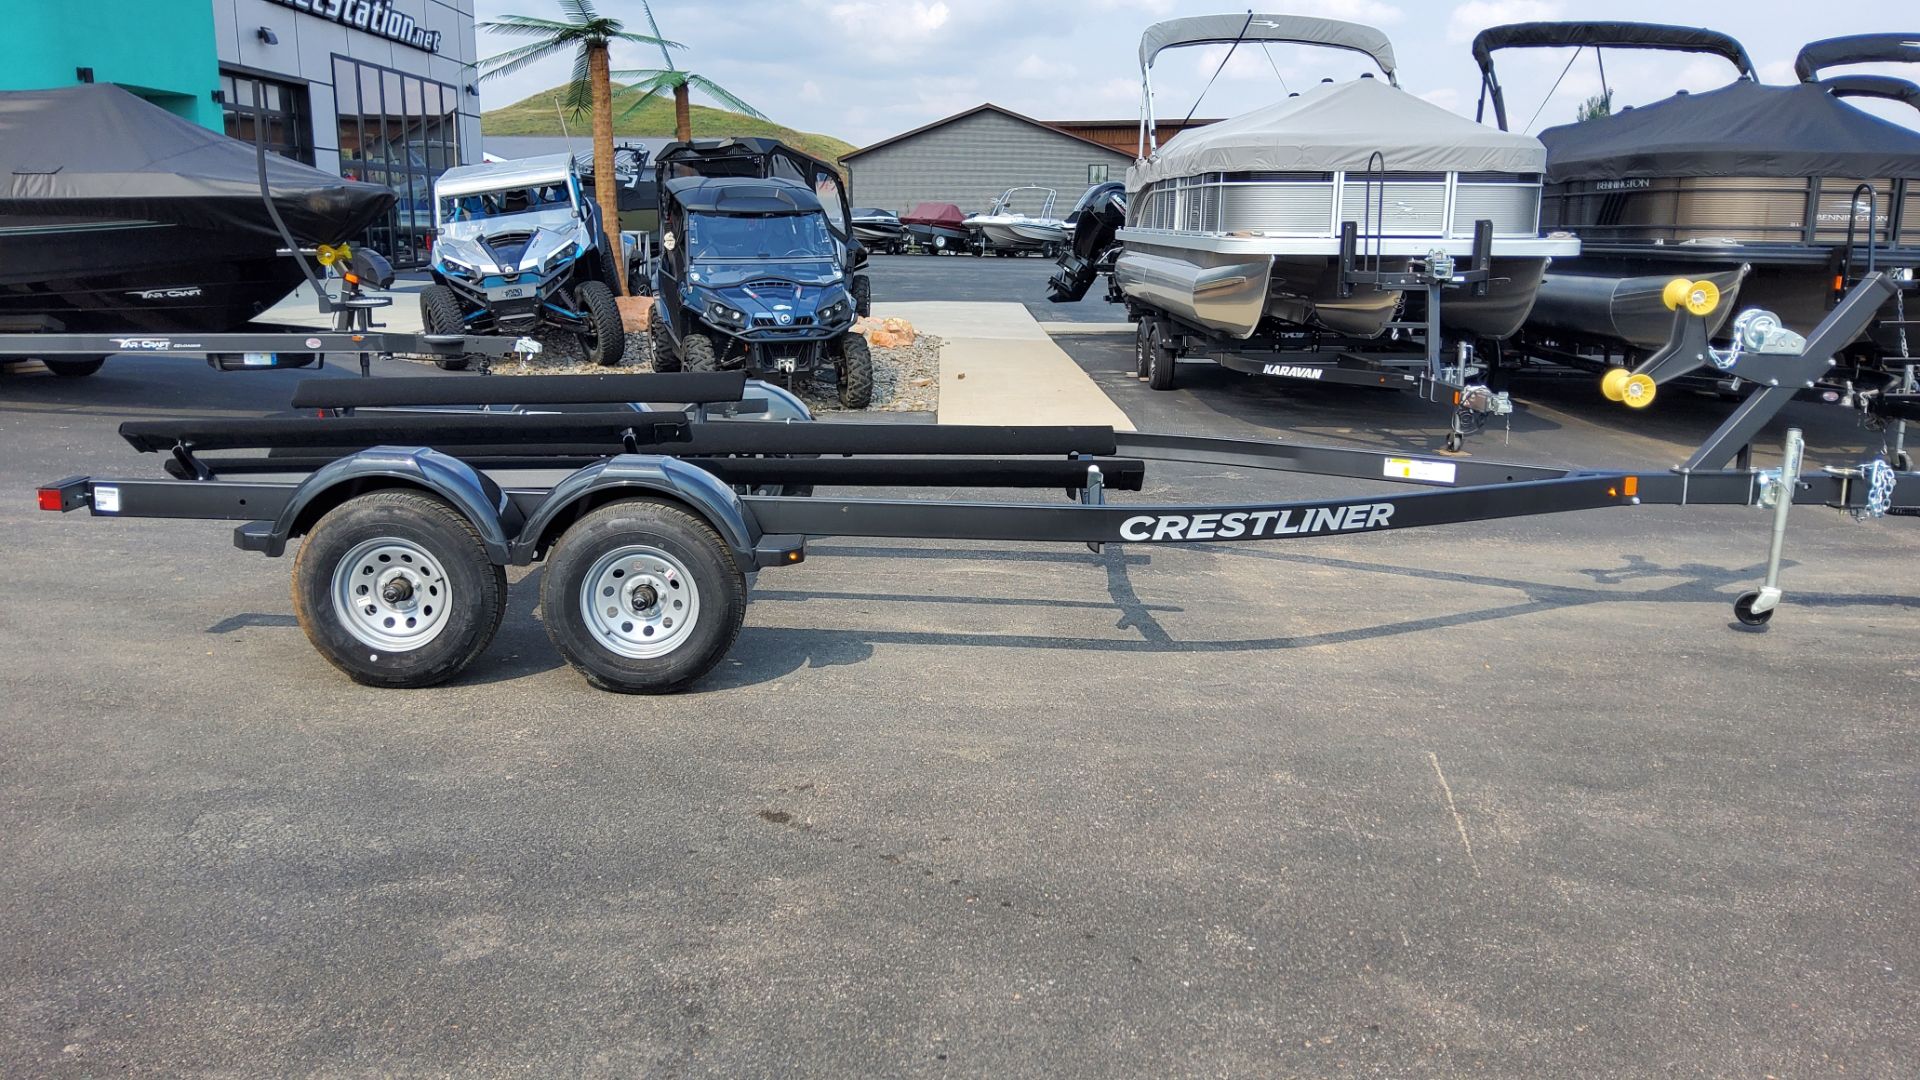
(1241, 222)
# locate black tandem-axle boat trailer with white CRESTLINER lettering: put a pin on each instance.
(408, 522)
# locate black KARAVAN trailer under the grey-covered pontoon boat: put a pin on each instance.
(1414, 356)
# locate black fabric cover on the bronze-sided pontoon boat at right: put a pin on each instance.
(1744, 130)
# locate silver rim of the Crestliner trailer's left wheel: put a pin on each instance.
(393, 595)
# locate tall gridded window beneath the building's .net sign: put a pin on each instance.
(400, 132)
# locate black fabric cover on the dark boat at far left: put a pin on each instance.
(99, 149)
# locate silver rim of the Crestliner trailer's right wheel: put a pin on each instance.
(640, 602)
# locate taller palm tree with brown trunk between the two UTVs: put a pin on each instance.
(588, 36)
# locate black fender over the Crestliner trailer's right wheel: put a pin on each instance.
(640, 476)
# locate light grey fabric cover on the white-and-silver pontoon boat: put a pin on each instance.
(1341, 128)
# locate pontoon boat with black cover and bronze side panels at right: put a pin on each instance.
(1769, 193)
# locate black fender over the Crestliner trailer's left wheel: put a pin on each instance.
(433, 472)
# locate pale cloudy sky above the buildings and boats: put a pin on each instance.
(865, 70)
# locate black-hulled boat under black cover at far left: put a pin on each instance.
(120, 216)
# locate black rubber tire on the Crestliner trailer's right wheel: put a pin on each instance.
(635, 526)
